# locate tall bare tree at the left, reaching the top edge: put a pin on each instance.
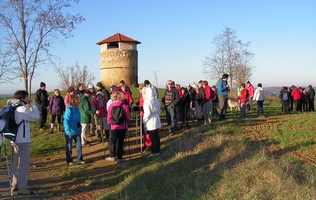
(30, 29)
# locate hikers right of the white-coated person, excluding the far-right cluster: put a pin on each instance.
(204, 102)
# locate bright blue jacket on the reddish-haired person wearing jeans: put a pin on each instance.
(71, 121)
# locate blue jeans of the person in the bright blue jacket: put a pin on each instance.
(77, 139)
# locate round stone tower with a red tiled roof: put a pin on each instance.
(119, 60)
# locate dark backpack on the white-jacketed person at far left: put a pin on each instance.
(7, 115)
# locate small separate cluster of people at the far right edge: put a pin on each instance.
(302, 98)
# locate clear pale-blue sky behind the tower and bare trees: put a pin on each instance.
(176, 35)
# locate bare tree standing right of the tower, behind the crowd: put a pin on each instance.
(230, 56)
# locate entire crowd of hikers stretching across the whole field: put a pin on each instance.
(96, 111)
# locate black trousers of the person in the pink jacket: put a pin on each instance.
(117, 142)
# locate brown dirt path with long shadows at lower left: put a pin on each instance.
(49, 177)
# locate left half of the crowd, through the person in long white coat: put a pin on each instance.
(111, 112)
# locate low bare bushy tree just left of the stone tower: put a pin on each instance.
(73, 75)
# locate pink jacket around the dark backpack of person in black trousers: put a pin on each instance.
(126, 112)
